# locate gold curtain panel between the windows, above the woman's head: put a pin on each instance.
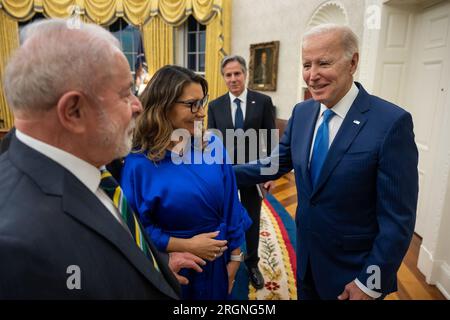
(157, 37)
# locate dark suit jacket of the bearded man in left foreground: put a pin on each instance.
(49, 221)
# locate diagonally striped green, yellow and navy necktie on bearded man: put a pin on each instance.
(113, 190)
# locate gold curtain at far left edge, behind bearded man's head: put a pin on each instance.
(9, 35)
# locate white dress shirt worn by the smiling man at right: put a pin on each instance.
(341, 109)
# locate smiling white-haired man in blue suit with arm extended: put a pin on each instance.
(355, 163)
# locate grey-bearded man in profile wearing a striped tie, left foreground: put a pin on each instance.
(61, 235)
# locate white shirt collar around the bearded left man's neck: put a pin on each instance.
(85, 172)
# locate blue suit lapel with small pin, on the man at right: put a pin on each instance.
(353, 122)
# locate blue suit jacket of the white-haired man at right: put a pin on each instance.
(362, 211)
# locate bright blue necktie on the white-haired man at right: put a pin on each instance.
(320, 149)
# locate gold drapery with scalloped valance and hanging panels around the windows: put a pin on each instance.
(157, 36)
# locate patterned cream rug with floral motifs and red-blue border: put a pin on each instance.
(277, 257)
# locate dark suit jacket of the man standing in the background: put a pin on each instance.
(259, 114)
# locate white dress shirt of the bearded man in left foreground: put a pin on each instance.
(87, 174)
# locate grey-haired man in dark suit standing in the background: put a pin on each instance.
(244, 109)
